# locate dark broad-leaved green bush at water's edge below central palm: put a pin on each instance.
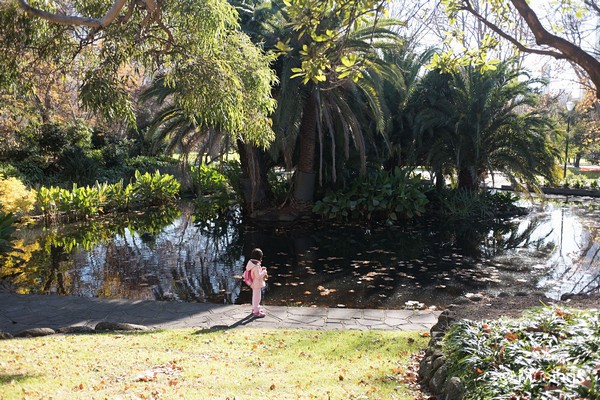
(387, 197)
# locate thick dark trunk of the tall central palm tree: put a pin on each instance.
(305, 173)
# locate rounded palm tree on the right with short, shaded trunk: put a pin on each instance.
(485, 123)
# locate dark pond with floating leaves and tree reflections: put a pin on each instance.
(554, 249)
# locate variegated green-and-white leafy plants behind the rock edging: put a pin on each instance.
(549, 354)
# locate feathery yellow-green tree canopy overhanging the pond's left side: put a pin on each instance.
(222, 79)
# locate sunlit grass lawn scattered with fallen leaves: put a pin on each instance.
(224, 364)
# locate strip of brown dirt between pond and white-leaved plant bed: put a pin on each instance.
(512, 306)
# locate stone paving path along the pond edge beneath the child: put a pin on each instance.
(22, 312)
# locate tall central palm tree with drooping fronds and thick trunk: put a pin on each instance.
(331, 111)
